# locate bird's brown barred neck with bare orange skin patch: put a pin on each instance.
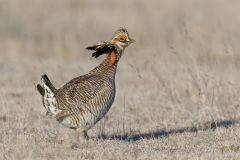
(108, 66)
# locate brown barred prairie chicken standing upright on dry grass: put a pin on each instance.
(84, 100)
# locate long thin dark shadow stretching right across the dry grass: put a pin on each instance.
(165, 133)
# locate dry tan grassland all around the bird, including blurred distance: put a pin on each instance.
(178, 88)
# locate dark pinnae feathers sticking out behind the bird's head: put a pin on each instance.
(101, 48)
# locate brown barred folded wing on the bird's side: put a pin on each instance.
(77, 94)
